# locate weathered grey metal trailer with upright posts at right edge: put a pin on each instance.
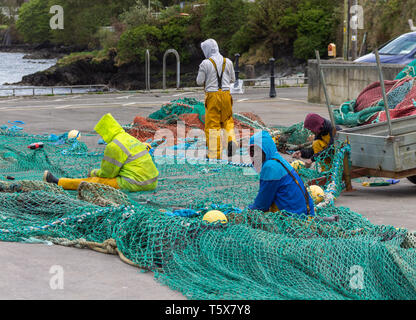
(386, 149)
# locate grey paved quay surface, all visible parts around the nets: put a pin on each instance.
(90, 275)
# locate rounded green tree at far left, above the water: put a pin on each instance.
(33, 22)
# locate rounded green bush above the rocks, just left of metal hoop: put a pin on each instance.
(134, 42)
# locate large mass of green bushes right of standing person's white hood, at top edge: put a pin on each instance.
(295, 27)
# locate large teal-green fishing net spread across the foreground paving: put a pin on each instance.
(254, 255)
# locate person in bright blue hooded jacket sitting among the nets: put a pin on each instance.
(281, 188)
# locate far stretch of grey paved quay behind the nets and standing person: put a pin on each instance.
(56, 114)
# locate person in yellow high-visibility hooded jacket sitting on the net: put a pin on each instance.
(126, 164)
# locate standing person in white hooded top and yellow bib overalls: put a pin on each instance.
(216, 73)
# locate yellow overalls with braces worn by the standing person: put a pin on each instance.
(218, 115)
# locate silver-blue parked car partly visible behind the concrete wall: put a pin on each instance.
(401, 50)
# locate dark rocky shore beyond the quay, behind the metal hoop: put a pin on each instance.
(87, 70)
